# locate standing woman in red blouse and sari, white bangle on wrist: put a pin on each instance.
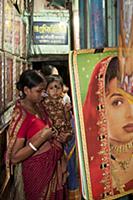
(38, 164)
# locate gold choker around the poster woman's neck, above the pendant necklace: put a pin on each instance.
(121, 148)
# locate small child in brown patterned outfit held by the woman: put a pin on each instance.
(58, 111)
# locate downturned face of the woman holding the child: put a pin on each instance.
(35, 93)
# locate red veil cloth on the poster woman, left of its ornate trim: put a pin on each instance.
(91, 118)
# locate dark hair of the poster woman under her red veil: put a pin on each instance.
(112, 70)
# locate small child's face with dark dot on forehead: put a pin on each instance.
(54, 89)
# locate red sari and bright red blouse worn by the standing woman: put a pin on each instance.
(44, 175)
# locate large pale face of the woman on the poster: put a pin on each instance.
(119, 115)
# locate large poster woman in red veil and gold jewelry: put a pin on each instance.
(108, 118)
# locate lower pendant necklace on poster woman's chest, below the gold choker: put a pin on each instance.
(124, 164)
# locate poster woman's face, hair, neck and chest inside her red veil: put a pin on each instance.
(119, 109)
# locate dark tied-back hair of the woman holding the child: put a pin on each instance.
(30, 79)
